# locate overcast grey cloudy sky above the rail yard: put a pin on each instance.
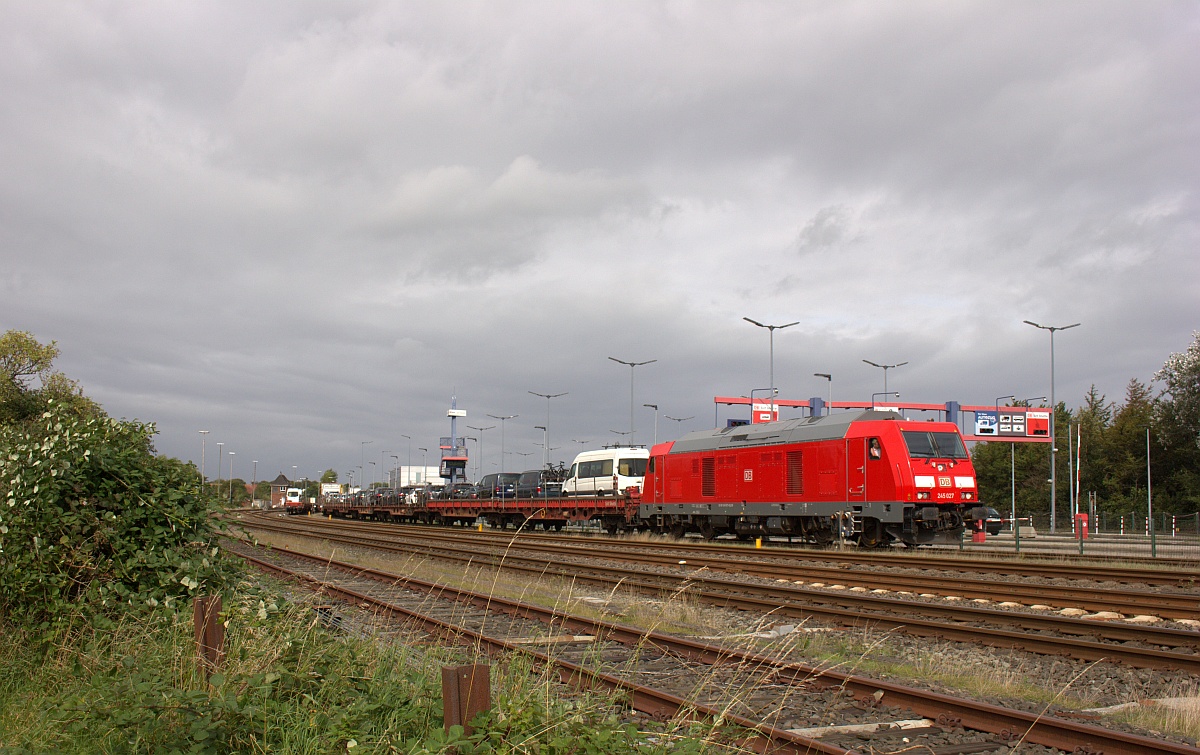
(302, 226)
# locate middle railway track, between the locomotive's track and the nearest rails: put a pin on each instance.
(1048, 634)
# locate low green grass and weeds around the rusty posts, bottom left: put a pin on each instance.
(287, 686)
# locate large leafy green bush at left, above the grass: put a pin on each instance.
(93, 522)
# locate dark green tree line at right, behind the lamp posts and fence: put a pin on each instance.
(1111, 439)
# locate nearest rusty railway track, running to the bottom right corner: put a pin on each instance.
(788, 705)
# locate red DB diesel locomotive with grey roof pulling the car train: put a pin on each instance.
(872, 477)
